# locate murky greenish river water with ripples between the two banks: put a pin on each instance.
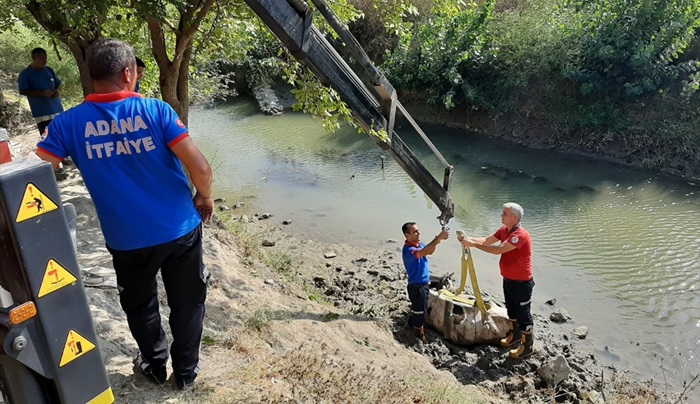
(617, 247)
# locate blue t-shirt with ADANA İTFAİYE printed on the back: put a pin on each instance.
(121, 144)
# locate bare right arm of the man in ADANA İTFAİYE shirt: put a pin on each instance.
(200, 174)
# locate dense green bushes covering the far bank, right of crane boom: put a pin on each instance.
(601, 70)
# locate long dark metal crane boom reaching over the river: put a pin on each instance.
(367, 92)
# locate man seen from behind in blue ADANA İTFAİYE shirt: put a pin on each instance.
(130, 151)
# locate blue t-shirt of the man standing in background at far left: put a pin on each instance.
(42, 79)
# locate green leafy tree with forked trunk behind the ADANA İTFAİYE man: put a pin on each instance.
(177, 30)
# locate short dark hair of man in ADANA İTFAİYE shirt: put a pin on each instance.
(107, 58)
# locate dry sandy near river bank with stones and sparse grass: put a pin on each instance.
(296, 319)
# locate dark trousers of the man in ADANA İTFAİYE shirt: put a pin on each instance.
(185, 280)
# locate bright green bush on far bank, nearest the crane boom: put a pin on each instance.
(440, 49)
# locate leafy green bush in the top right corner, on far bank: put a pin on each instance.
(631, 48)
